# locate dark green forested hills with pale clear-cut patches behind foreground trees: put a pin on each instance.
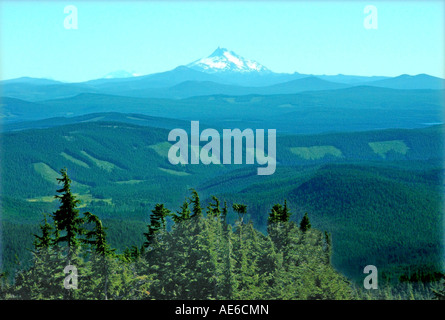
(377, 192)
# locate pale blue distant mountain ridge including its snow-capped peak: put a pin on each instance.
(222, 72)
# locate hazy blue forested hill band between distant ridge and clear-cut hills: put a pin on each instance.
(360, 108)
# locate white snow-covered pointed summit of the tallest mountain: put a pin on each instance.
(223, 60)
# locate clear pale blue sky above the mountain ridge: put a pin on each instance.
(148, 36)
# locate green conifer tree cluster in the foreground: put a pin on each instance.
(192, 253)
